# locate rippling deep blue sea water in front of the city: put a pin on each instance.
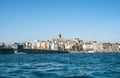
(94, 65)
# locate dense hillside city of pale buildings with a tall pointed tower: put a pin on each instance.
(62, 44)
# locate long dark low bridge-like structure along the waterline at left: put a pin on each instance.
(29, 51)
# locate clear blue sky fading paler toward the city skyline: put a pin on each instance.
(26, 20)
